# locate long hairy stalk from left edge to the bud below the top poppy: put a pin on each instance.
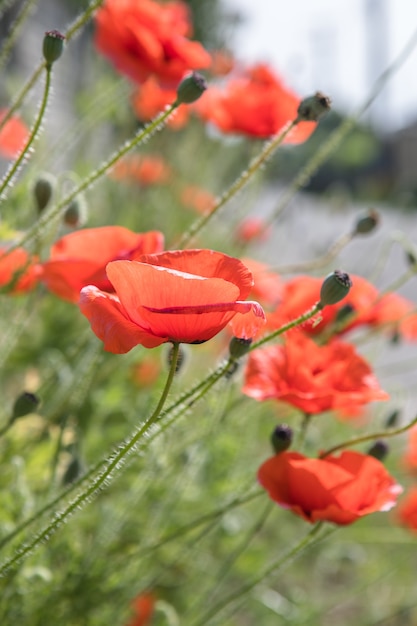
(55, 211)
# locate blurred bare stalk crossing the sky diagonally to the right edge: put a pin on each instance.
(335, 139)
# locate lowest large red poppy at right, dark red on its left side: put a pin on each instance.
(333, 489)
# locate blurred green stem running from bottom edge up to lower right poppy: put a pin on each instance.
(274, 567)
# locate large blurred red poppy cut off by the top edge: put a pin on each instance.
(148, 38)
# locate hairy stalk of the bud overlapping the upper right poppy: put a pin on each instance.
(267, 151)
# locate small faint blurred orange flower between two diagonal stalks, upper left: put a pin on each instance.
(143, 169)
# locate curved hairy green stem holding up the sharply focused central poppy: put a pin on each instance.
(112, 466)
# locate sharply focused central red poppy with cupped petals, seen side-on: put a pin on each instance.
(183, 296)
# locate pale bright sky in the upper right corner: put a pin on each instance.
(325, 45)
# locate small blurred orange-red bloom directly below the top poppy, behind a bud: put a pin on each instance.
(150, 99)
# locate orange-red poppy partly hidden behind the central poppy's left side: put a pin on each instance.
(80, 258)
